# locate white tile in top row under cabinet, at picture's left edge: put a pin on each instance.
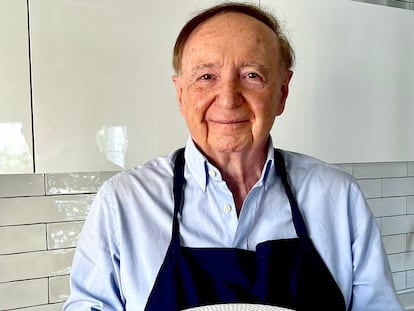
(19, 185)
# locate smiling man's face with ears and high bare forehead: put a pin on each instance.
(231, 87)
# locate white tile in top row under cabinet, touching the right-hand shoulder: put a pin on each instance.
(380, 170)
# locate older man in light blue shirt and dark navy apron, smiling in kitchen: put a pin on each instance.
(230, 219)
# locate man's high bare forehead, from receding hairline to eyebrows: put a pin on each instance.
(232, 33)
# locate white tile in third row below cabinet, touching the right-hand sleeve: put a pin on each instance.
(388, 206)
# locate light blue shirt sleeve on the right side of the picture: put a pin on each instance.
(373, 287)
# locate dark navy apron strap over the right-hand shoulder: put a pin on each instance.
(297, 218)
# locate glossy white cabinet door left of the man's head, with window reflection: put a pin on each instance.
(103, 94)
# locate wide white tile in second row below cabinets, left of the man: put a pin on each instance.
(16, 211)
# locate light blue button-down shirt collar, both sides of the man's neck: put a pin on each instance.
(199, 166)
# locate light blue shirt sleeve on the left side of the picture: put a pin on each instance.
(95, 271)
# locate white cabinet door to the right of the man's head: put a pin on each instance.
(352, 96)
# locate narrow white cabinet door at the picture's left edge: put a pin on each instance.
(15, 111)
